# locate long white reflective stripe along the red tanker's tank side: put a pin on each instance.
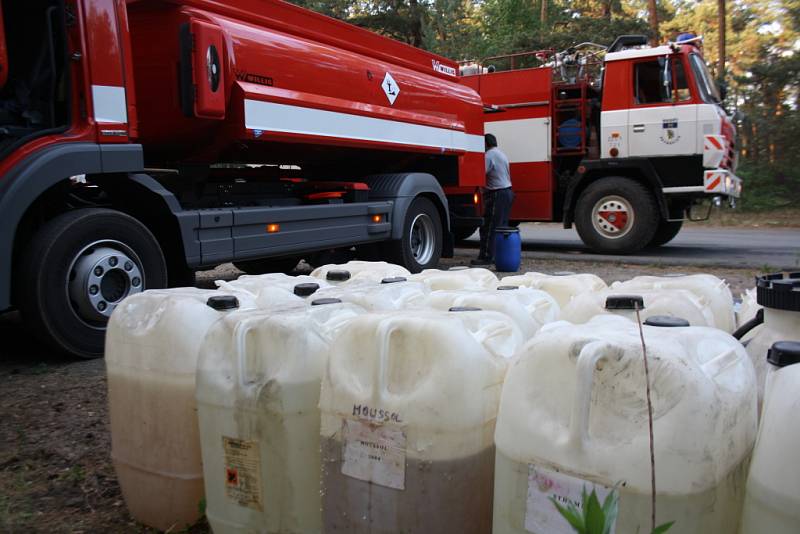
(283, 118)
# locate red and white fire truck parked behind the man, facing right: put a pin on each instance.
(624, 142)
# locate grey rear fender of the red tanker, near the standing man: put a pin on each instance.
(402, 189)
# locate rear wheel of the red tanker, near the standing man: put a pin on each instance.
(421, 244)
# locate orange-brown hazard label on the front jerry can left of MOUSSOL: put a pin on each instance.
(242, 472)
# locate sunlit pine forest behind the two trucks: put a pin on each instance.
(761, 49)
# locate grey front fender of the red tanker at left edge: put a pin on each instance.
(37, 173)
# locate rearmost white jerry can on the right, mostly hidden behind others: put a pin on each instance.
(710, 291)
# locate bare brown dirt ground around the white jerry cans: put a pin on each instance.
(55, 470)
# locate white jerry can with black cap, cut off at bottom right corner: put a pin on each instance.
(772, 502)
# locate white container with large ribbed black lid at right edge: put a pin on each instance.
(780, 296)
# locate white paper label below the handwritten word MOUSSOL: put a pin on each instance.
(374, 453)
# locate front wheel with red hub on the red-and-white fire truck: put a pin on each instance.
(616, 215)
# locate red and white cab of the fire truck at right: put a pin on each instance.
(661, 103)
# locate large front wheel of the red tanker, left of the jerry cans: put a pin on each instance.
(77, 268)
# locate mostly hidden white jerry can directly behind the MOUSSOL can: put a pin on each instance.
(528, 308)
